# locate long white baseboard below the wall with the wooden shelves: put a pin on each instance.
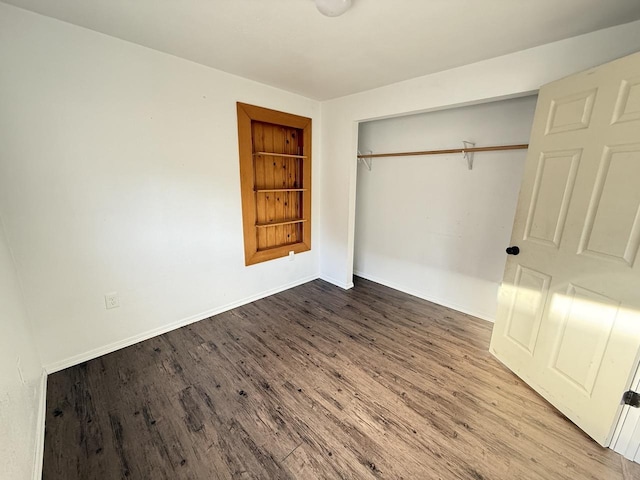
(127, 342)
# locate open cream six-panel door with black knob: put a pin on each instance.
(569, 310)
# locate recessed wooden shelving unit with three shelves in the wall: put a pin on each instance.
(275, 177)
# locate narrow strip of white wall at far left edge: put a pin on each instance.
(21, 375)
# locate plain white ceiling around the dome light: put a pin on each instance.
(290, 45)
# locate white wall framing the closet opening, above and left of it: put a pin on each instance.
(501, 77)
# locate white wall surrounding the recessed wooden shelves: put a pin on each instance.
(119, 172)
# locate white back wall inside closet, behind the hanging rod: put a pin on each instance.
(428, 225)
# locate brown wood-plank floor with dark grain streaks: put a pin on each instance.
(314, 382)
